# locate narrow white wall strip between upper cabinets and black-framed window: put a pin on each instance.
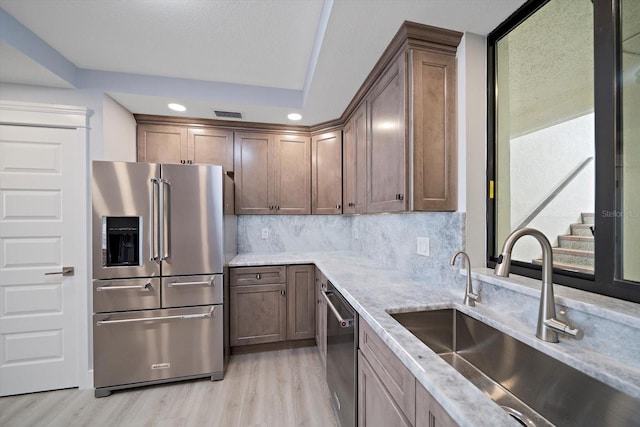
(472, 144)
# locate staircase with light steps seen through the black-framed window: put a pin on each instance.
(575, 251)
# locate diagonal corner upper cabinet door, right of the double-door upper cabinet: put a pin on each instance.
(326, 166)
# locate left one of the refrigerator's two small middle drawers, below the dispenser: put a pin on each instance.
(126, 294)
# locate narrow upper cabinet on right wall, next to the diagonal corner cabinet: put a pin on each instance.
(355, 162)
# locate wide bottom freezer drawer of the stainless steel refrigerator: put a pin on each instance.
(154, 345)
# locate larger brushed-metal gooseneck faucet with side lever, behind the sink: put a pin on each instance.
(548, 325)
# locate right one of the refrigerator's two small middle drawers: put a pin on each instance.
(191, 290)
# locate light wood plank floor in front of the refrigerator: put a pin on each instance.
(279, 388)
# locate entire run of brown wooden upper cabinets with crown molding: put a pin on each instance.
(399, 151)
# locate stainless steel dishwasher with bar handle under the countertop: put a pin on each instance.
(342, 356)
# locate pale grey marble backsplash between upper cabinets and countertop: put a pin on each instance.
(389, 239)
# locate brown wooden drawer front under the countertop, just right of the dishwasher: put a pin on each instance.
(397, 379)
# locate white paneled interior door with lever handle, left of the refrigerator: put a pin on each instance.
(40, 227)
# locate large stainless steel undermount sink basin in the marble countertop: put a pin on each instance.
(535, 389)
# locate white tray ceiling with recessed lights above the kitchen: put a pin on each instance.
(264, 58)
